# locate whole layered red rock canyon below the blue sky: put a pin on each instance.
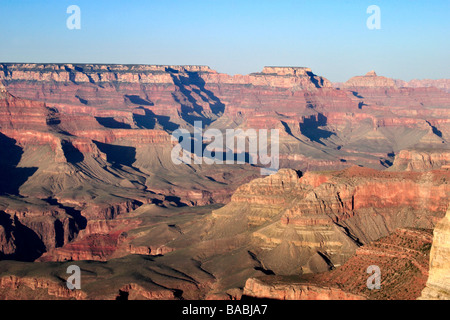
(87, 179)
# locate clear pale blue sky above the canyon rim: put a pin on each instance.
(231, 36)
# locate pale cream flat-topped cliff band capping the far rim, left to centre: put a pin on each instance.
(154, 74)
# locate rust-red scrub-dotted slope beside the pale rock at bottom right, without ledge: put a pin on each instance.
(403, 259)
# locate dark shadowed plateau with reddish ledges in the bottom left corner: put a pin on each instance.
(132, 277)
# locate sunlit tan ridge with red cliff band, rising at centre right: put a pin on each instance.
(316, 222)
